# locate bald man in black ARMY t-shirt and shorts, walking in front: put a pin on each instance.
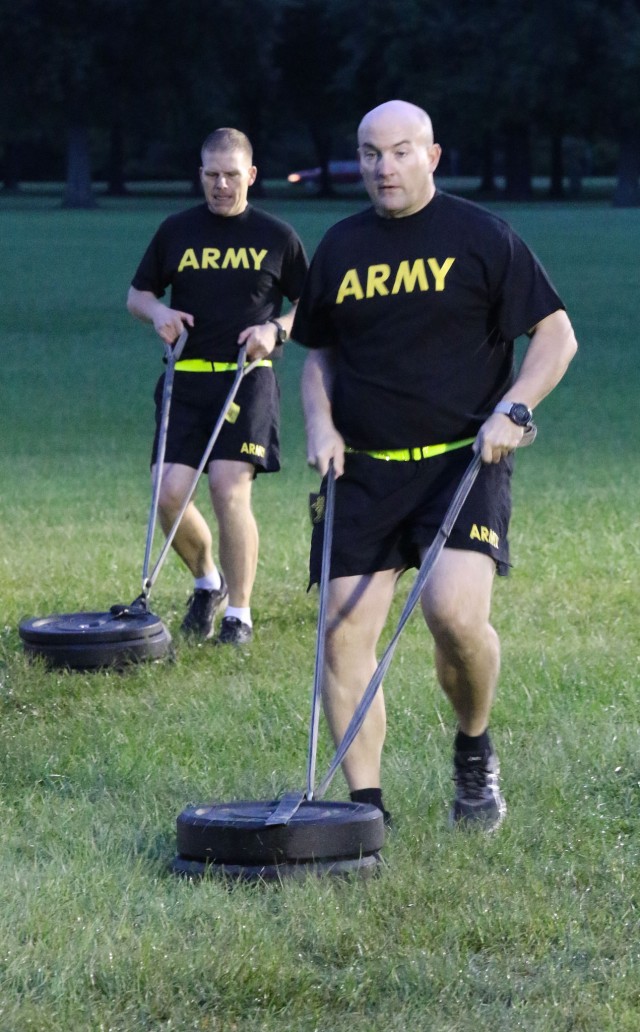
(410, 312)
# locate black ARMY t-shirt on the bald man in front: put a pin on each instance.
(423, 312)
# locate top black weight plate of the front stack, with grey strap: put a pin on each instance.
(236, 833)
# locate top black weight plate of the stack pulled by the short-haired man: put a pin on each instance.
(83, 629)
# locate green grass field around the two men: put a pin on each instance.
(535, 929)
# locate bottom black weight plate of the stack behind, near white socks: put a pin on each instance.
(94, 656)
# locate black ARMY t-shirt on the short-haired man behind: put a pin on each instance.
(230, 273)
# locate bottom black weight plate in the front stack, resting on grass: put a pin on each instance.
(363, 867)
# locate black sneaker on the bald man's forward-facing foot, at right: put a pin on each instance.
(478, 799)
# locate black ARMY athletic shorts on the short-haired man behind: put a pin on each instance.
(251, 435)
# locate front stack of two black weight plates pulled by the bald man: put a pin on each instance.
(234, 841)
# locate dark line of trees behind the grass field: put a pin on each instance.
(136, 85)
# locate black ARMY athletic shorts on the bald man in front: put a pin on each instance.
(387, 512)
